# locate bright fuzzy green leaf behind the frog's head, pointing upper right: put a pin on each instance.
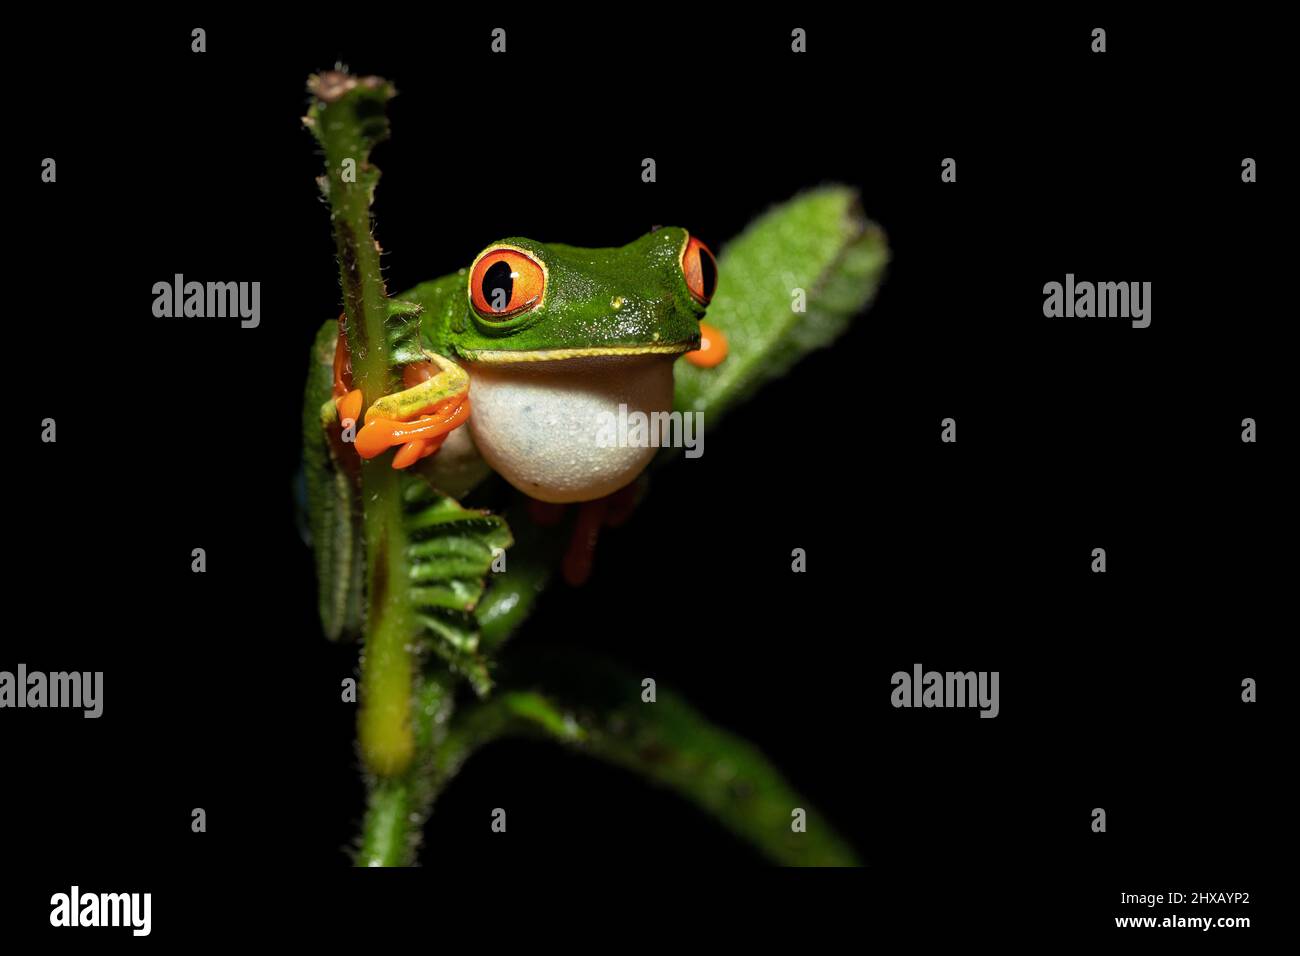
(817, 243)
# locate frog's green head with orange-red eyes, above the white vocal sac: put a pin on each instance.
(538, 302)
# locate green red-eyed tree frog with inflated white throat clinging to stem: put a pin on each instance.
(514, 364)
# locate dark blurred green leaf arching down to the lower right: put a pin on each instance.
(666, 742)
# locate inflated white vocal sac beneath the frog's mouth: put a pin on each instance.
(545, 426)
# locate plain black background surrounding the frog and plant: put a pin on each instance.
(1119, 691)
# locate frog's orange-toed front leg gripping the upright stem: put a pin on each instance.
(419, 418)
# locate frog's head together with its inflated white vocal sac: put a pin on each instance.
(562, 341)
